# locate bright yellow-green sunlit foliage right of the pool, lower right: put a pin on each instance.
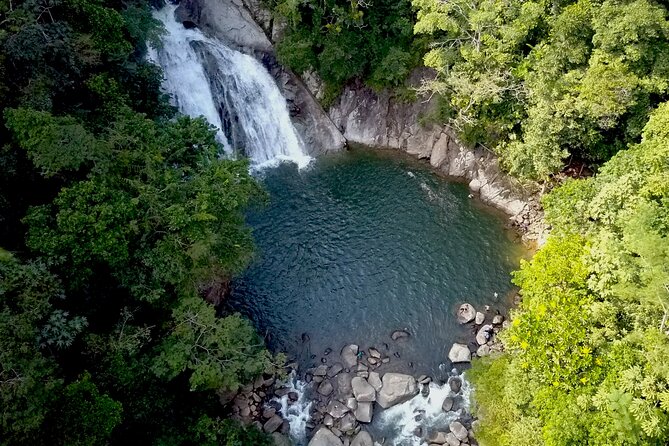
(584, 352)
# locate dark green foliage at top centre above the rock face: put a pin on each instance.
(342, 40)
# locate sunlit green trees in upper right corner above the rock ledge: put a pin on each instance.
(542, 81)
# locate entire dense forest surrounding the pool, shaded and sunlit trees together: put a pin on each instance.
(117, 215)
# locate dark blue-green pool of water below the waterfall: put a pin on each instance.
(367, 242)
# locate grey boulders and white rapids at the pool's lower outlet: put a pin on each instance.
(336, 402)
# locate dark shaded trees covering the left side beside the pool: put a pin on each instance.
(115, 216)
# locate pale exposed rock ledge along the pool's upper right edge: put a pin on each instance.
(377, 120)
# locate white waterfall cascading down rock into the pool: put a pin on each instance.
(233, 91)
